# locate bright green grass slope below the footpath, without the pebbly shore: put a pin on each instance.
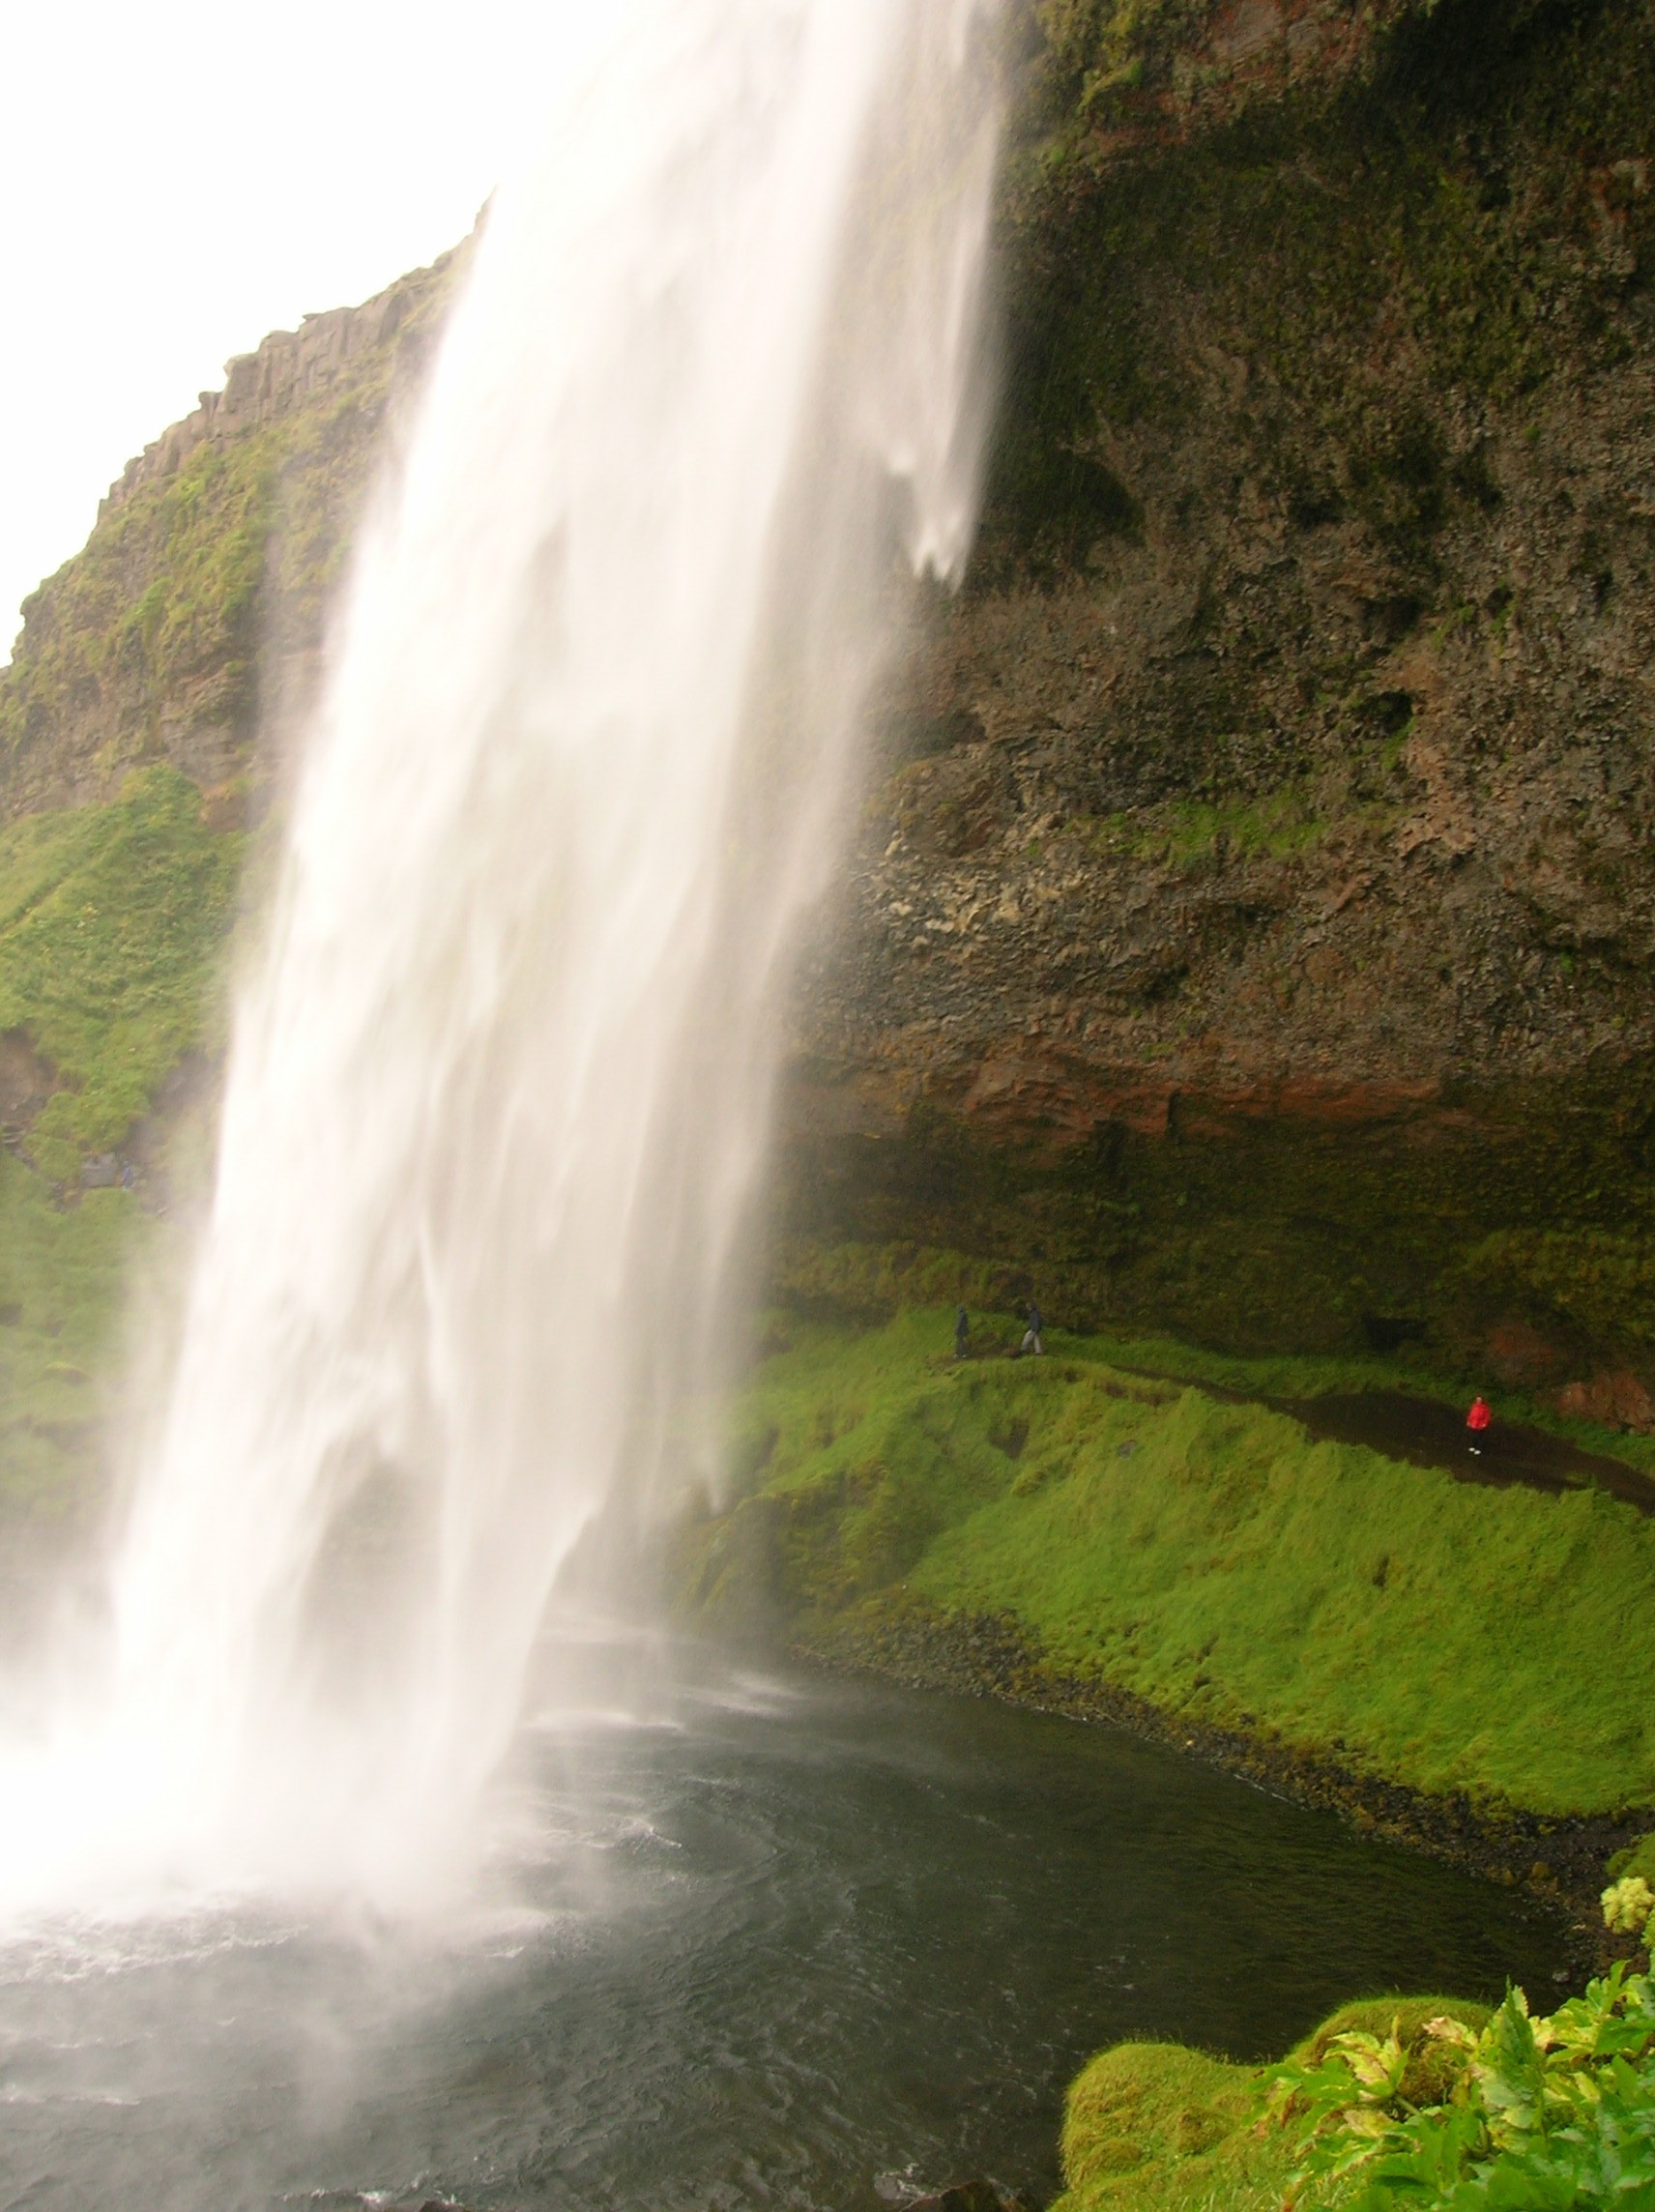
(1227, 1569)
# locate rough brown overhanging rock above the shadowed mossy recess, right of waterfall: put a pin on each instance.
(1313, 775)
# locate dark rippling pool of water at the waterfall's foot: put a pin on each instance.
(762, 1941)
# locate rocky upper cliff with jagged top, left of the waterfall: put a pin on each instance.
(189, 627)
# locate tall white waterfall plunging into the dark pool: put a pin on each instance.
(503, 1072)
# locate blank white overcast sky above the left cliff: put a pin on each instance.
(180, 178)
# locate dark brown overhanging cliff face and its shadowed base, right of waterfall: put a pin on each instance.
(1253, 932)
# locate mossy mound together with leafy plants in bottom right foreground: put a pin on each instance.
(1393, 2103)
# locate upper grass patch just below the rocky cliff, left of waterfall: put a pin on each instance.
(112, 930)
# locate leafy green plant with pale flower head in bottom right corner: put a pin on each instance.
(1532, 2116)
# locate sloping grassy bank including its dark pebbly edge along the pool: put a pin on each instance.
(1360, 1634)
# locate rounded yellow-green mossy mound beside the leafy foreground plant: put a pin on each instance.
(1165, 2129)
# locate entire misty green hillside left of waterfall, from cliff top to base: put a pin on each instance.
(116, 919)
